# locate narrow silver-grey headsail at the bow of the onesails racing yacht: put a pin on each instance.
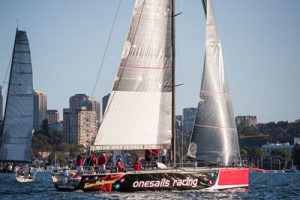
(214, 137)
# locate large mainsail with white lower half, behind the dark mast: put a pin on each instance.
(139, 111)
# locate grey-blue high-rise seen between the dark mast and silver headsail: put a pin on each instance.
(189, 115)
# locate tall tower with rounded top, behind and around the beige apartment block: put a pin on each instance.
(76, 102)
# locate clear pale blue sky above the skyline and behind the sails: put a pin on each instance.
(260, 41)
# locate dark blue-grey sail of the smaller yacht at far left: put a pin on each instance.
(18, 116)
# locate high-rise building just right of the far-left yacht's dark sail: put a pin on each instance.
(39, 108)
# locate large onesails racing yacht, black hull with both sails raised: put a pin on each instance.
(140, 113)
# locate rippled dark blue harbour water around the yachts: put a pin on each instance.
(268, 185)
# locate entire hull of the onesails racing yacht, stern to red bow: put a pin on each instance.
(182, 179)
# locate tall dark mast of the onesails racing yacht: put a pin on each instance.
(173, 147)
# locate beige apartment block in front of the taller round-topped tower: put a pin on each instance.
(86, 126)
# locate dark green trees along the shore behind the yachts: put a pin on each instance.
(251, 139)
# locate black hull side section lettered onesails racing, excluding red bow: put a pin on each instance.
(132, 182)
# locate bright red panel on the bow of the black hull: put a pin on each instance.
(234, 176)
